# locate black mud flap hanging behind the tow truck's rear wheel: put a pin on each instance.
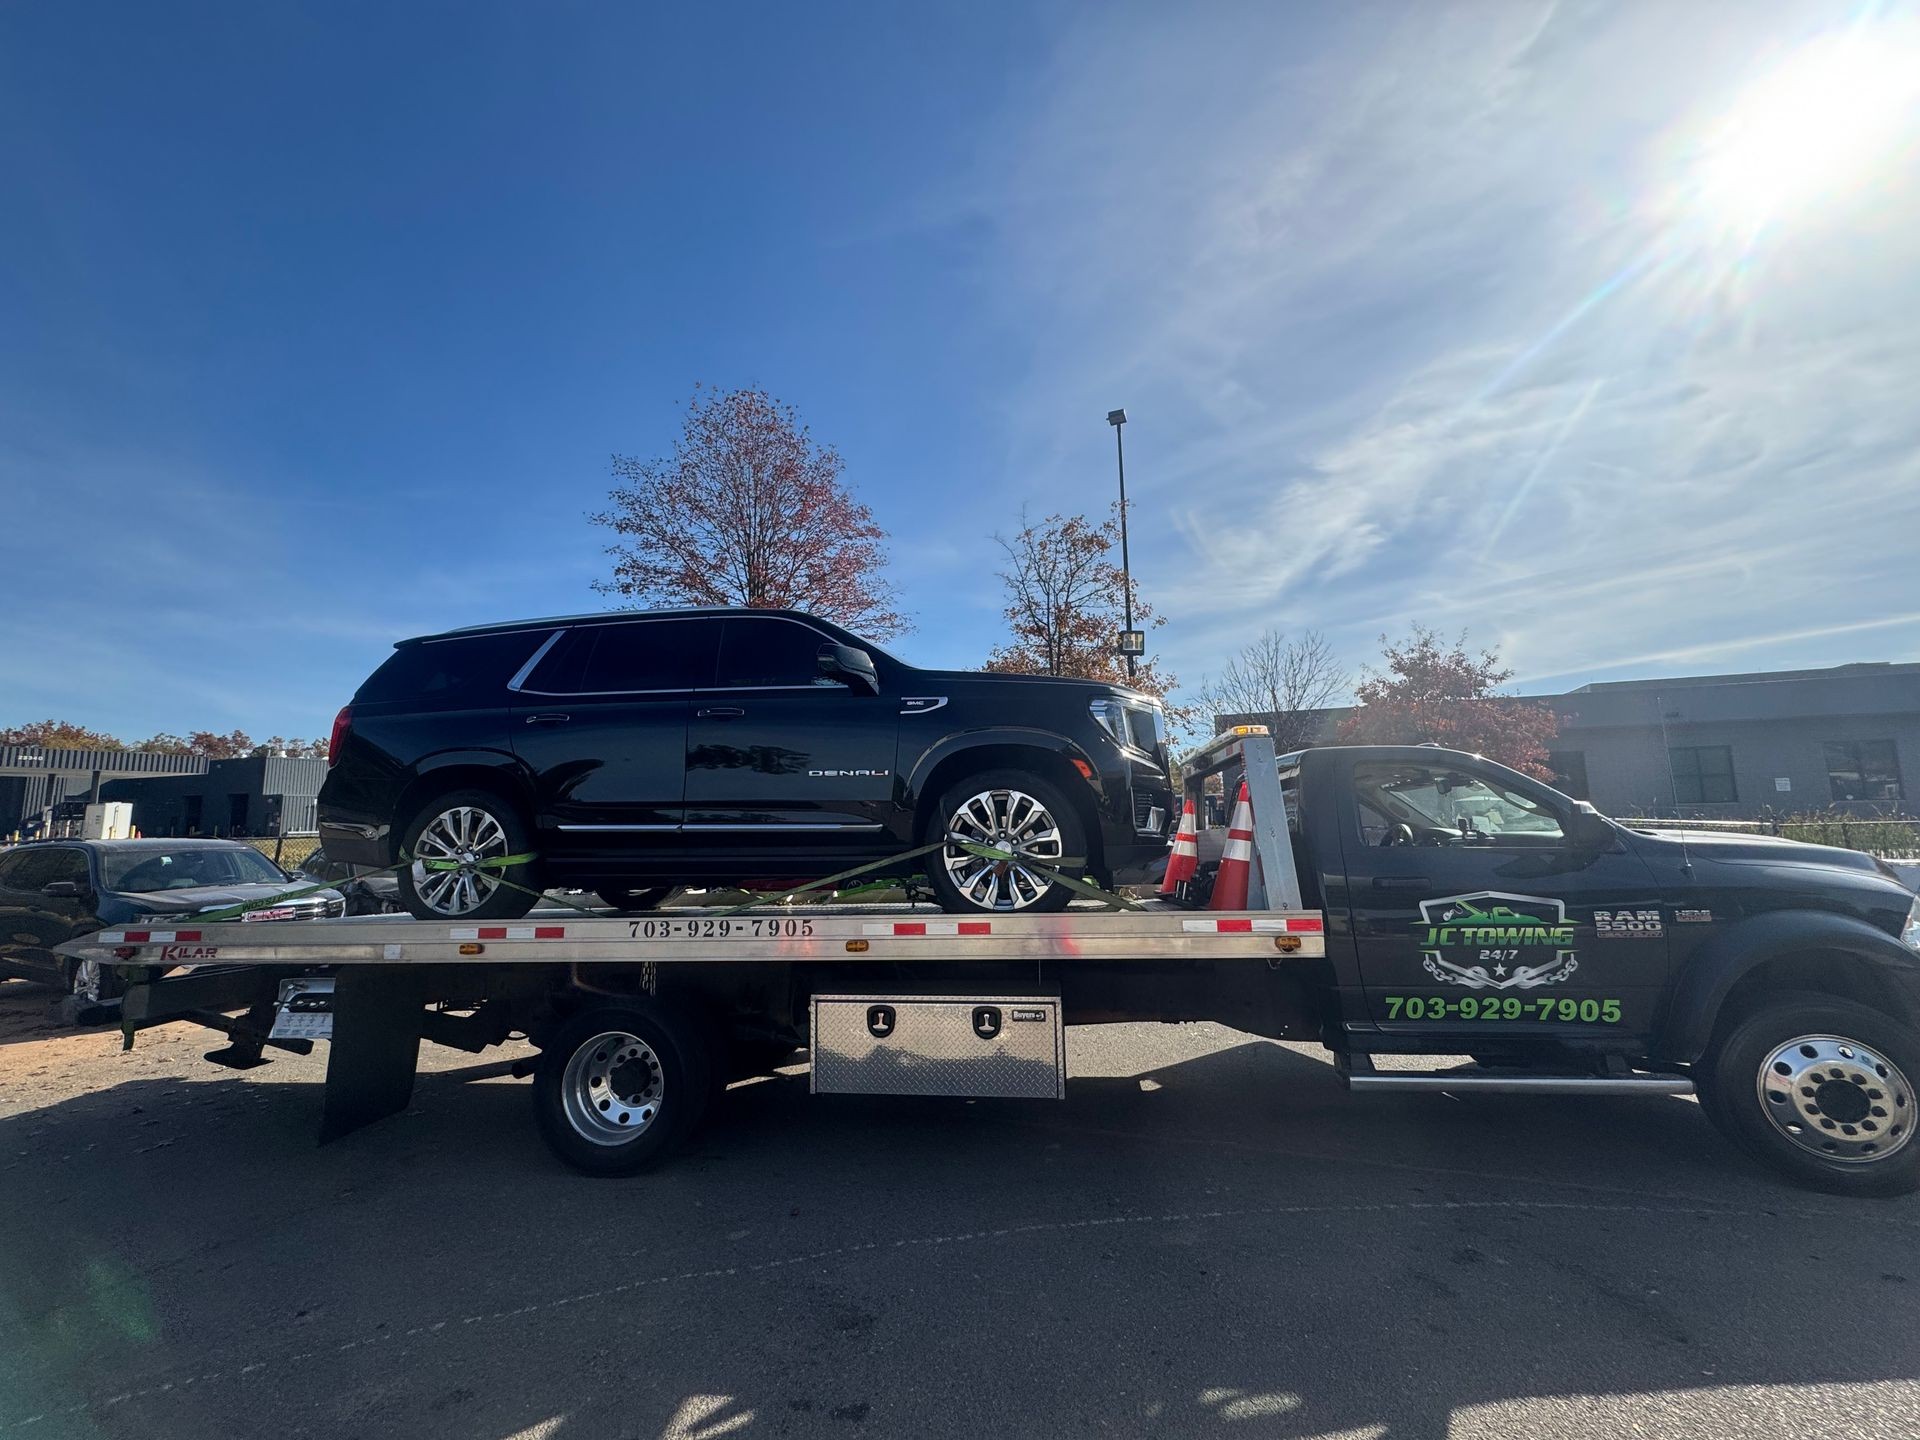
(375, 1047)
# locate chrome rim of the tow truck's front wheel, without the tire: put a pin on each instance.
(1838, 1099)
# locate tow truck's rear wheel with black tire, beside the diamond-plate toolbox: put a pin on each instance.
(621, 1086)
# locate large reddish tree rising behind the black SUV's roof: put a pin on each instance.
(748, 512)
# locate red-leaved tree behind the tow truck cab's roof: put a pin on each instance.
(1441, 694)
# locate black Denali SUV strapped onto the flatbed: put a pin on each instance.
(631, 754)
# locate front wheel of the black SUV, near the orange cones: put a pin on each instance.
(996, 807)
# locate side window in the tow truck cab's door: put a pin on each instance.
(1435, 805)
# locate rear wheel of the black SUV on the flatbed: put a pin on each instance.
(468, 827)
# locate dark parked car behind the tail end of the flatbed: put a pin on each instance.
(51, 892)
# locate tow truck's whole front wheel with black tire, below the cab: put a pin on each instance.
(1821, 1090)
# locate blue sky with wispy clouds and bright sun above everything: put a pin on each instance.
(1585, 327)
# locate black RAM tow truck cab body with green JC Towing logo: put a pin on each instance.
(1476, 911)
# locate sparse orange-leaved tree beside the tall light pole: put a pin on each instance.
(1067, 606)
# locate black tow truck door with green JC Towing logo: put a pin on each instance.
(1481, 905)
